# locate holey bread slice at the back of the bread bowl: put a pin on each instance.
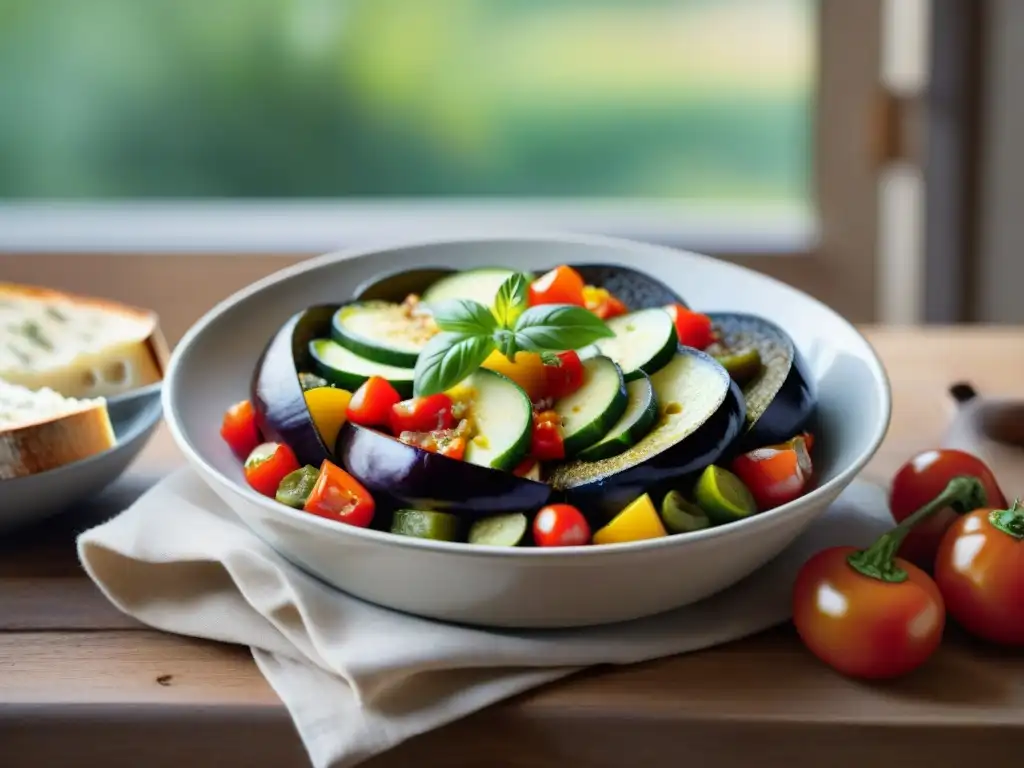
(78, 347)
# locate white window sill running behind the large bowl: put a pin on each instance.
(315, 227)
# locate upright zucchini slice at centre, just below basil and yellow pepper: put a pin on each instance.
(503, 417)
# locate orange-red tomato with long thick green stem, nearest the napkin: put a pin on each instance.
(870, 614)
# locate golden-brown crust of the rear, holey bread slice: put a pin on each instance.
(146, 357)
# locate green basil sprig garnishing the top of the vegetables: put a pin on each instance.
(471, 332)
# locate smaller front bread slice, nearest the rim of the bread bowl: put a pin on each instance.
(42, 431)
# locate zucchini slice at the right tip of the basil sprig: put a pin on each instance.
(645, 343)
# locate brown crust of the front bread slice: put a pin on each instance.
(54, 443)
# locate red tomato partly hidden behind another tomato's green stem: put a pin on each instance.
(921, 480)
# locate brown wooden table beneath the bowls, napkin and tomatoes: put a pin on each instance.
(80, 685)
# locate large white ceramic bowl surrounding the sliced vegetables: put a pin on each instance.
(535, 587)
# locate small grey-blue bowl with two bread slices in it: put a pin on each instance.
(80, 385)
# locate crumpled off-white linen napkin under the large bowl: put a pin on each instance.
(359, 679)
